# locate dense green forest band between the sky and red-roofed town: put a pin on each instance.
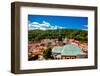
(37, 35)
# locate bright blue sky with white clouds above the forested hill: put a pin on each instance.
(66, 22)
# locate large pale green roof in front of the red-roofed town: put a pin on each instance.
(68, 49)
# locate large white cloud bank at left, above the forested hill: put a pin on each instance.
(42, 26)
